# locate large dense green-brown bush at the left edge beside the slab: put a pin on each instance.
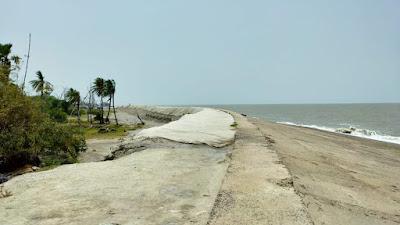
(28, 135)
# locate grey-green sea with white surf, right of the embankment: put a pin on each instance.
(373, 121)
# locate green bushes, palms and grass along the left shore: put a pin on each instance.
(43, 130)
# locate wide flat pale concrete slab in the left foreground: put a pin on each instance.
(155, 186)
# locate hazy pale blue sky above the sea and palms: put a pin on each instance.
(213, 51)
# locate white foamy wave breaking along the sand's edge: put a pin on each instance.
(352, 131)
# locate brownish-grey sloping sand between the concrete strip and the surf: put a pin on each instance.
(341, 179)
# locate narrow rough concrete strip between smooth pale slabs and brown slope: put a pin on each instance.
(257, 188)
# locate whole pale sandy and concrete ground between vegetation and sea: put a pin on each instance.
(206, 166)
